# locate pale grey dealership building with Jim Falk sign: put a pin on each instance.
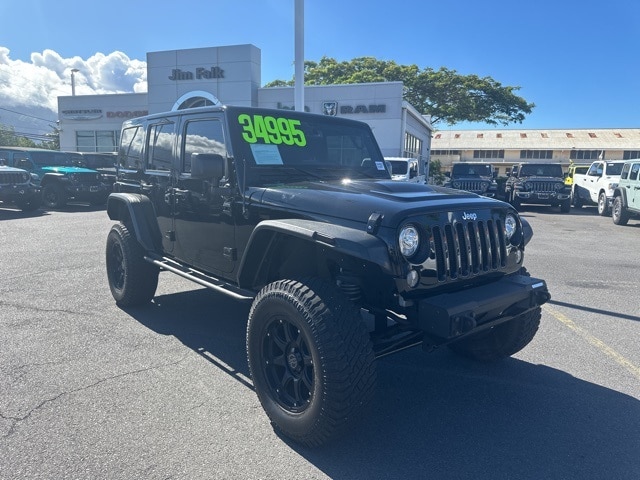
(230, 75)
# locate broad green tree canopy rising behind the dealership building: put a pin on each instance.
(446, 95)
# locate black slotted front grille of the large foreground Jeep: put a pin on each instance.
(471, 248)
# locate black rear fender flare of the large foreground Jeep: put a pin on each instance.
(138, 211)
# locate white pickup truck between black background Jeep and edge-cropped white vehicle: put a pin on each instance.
(597, 185)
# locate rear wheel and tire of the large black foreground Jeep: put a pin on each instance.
(132, 280)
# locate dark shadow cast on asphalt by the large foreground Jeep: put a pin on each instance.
(437, 415)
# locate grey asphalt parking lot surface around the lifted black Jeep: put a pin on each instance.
(90, 391)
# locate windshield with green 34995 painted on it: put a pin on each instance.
(286, 147)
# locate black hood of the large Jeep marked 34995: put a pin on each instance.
(357, 200)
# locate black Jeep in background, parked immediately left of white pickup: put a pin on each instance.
(538, 183)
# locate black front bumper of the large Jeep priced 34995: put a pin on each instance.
(449, 316)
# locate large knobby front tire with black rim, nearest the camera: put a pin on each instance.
(311, 359)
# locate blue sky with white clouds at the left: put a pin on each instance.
(578, 61)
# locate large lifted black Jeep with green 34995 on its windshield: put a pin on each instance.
(297, 214)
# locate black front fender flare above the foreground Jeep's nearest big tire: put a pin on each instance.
(343, 240)
